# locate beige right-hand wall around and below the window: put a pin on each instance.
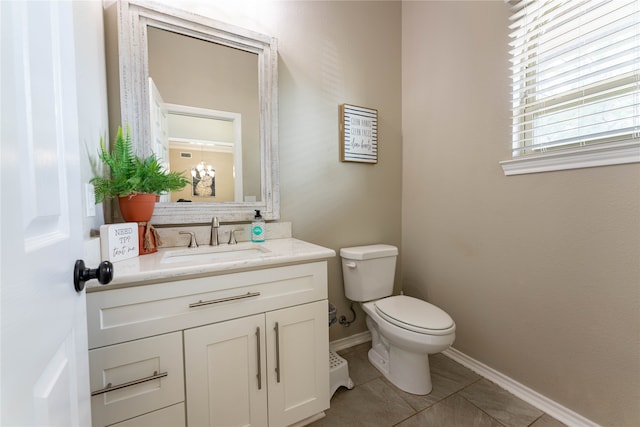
(540, 272)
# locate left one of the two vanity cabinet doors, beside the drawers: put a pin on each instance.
(224, 369)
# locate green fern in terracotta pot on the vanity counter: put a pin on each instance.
(135, 181)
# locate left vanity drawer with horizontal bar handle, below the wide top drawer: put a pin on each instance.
(135, 378)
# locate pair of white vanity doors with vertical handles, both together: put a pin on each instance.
(259, 368)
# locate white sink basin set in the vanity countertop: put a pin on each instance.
(206, 254)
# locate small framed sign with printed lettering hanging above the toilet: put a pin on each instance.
(358, 134)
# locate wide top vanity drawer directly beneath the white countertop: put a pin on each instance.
(139, 311)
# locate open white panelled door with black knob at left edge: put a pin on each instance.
(44, 365)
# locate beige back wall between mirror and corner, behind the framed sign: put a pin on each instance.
(333, 53)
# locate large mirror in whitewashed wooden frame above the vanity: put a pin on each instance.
(173, 97)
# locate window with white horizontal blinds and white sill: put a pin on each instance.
(575, 68)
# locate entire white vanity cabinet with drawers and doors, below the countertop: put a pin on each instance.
(251, 348)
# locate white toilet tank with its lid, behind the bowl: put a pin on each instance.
(368, 271)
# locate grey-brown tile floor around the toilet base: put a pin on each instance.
(459, 398)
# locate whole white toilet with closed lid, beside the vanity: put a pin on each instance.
(404, 330)
